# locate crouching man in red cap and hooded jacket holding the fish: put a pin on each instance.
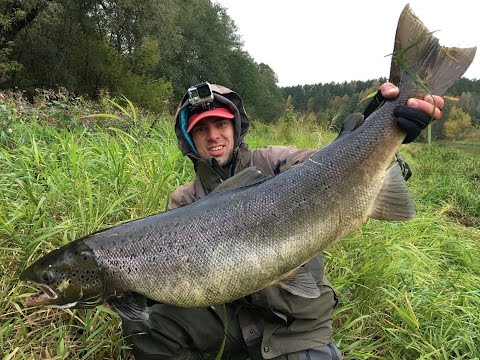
(271, 323)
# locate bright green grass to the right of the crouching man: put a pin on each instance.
(410, 290)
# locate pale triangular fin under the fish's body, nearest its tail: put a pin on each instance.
(394, 201)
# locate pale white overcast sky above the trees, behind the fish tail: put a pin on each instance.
(313, 41)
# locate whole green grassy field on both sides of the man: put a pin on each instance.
(407, 290)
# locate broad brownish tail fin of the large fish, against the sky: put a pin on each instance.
(418, 54)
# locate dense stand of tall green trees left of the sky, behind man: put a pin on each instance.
(150, 51)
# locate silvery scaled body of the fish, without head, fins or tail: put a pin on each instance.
(233, 243)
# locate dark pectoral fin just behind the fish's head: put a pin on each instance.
(132, 306)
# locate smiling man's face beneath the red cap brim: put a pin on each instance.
(214, 137)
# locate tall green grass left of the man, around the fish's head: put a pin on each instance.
(58, 185)
